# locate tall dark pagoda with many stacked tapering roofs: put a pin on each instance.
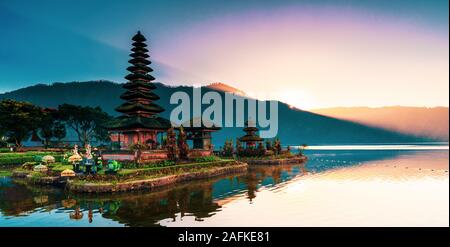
(139, 122)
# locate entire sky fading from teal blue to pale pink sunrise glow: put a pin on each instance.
(310, 54)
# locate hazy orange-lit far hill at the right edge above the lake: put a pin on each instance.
(419, 121)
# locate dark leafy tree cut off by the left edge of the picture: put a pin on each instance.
(18, 120)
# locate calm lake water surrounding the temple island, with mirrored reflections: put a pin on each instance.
(366, 185)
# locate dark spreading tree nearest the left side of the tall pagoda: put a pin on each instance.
(86, 121)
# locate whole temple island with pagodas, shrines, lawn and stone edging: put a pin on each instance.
(147, 151)
